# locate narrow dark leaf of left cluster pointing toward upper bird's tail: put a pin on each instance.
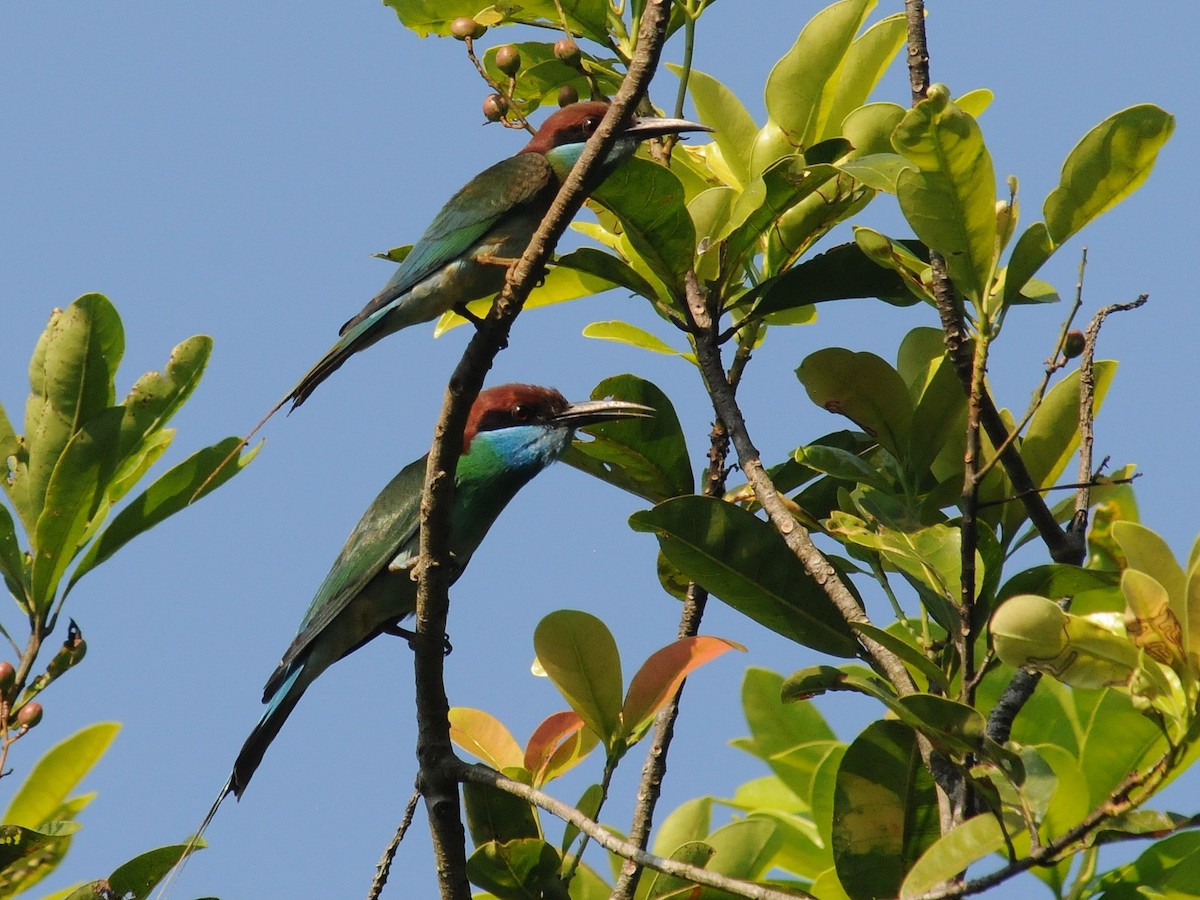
(171, 494)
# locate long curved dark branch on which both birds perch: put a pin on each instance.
(435, 753)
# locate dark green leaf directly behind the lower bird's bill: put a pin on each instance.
(645, 457)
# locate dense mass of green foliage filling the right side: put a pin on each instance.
(915, 497)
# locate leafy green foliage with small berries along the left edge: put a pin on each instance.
(81, 455)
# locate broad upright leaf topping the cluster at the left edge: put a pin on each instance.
(71, 380)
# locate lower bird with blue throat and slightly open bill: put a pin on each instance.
(513, 434)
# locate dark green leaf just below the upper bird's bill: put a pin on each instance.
(649, 201)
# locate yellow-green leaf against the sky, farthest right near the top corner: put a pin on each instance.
(1112, 163)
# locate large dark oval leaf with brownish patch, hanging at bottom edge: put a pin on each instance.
(885, 812)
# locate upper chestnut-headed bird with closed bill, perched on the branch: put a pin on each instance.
(464, 254)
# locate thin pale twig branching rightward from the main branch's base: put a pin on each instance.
(484, 776)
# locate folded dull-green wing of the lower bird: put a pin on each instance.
(387, 531)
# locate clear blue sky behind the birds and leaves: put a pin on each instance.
(229, 169)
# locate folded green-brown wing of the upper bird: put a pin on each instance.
(469, 215)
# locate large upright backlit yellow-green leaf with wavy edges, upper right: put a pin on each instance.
(951, 202)
